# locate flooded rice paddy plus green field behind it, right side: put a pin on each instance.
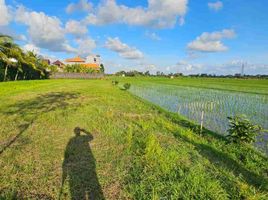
(214, 99)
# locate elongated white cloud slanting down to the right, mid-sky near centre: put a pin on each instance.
(123, 49)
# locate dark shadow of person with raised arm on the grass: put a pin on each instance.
(79, 168)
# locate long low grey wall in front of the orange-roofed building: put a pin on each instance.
(64, 75)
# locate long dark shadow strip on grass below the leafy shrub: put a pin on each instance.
(221, 159)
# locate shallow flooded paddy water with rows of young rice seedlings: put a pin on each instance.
(217, 105)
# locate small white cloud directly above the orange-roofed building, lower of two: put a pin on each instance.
(85, 46)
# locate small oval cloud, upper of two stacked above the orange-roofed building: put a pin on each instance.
(75, 27)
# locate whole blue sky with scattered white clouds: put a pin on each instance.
(185, 36)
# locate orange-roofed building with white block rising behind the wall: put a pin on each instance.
(91, 61)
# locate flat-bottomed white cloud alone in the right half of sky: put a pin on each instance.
(211, 42)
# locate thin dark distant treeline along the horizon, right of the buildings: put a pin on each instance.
(162, 74)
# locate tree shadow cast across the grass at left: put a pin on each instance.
(29, 111)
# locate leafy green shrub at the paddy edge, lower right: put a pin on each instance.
(241, 130)
